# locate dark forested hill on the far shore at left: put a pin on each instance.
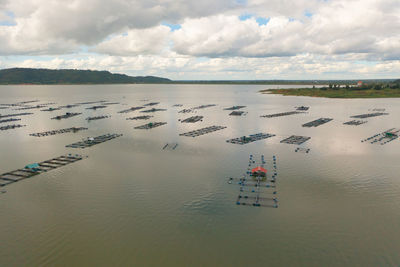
(70, 76)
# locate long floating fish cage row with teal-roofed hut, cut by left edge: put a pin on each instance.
(37, 168)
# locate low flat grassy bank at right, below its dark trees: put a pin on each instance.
(335, 93)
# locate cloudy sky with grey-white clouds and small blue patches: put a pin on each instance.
(206, 39)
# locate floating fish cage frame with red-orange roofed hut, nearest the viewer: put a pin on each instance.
(257, 187)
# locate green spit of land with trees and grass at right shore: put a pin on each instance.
(371, 90)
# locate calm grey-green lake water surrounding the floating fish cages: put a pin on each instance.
(130, 203)
